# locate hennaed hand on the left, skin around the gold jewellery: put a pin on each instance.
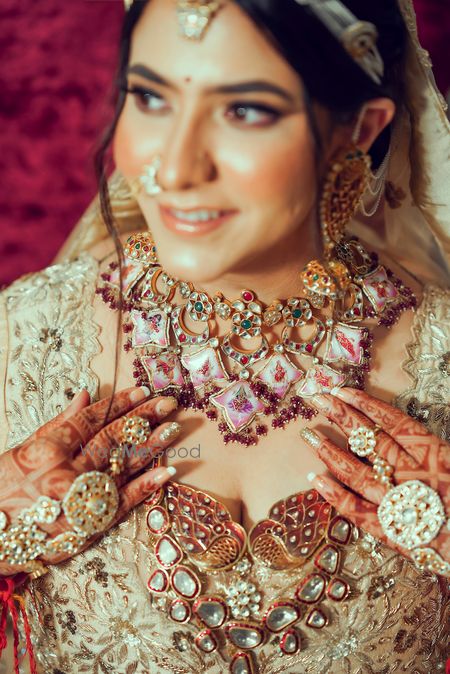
(75, 442)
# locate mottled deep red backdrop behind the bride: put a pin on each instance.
(56, 72)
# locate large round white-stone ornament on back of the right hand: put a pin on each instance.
(411, 514)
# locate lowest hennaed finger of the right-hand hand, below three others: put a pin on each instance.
(359, 511)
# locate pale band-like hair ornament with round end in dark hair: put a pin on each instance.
(357, 37)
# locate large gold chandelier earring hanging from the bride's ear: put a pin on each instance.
(344, 184)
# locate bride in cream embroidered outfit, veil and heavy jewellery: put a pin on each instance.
(256, 302)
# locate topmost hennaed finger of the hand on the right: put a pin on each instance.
(411, 435)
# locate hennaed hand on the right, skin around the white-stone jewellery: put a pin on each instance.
(413, 452)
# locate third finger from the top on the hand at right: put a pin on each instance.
(345, 466)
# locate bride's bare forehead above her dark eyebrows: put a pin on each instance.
(232, 49)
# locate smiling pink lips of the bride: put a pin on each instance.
(194, 221)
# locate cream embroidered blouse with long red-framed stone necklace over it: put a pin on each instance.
(178, 587)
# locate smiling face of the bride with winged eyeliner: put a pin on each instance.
(226, 115)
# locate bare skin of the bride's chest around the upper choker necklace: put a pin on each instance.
(248, 480)
